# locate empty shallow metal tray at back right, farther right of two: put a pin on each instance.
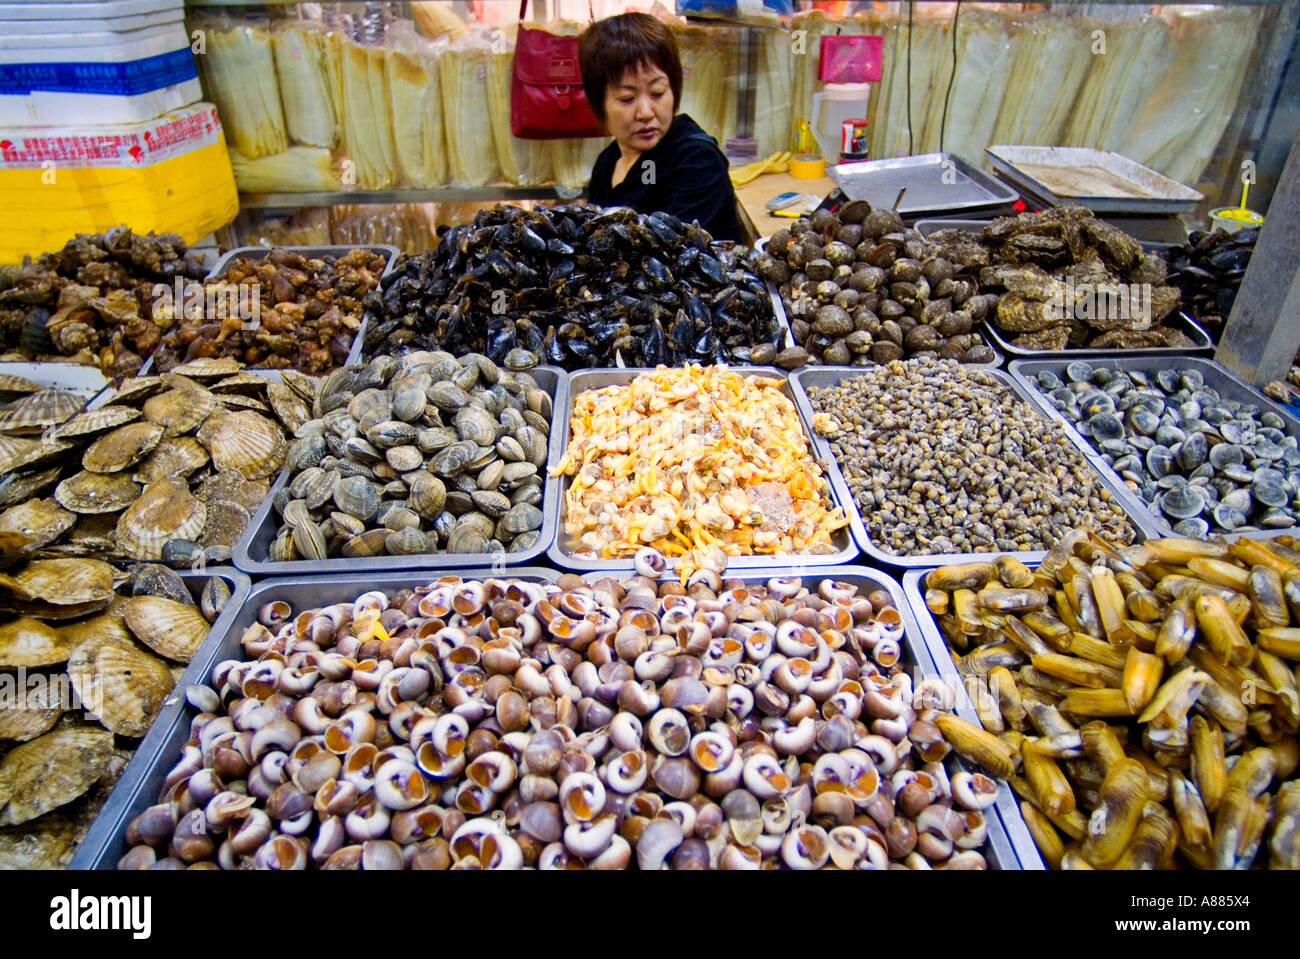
(1099, 180)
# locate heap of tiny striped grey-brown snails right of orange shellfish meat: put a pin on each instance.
(943, 458)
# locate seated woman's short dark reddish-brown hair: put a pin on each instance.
(612, 47)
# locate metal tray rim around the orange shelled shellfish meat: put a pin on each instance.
(560, 549)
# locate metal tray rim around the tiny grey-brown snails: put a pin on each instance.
(811, 377)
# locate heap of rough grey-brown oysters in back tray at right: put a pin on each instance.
(1071, 280)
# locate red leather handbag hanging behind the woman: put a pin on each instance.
(547, 97)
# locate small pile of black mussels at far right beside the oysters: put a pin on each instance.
(1208, 271)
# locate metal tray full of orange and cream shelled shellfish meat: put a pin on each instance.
(638, 446)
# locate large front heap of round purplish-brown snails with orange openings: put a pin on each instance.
(600, 726)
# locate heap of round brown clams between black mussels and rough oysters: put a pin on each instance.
(860, 288)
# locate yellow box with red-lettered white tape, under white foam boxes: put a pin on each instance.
(171, 175)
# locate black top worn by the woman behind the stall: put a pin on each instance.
(684, 175)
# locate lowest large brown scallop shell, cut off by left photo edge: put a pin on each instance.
(51, 771)
